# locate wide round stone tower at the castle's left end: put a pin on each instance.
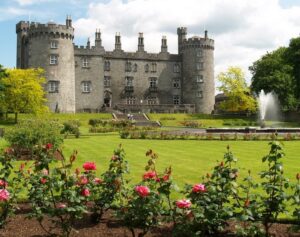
(51, 48)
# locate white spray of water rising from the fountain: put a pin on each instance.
(268, 107)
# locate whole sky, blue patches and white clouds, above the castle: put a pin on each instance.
(243, 29)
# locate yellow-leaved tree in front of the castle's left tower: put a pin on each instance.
(24, 91)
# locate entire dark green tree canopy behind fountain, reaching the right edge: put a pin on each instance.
(279, 71)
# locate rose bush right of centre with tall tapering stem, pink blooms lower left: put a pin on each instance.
(211, 206)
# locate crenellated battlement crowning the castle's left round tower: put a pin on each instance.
(35, 29)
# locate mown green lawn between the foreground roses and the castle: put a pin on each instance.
(190, 160)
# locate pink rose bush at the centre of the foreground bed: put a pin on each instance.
(149, 200)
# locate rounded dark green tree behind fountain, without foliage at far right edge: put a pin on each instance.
(273, 73)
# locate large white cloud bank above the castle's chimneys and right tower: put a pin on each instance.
(242, 30)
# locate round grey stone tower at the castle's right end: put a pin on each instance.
(198, 86)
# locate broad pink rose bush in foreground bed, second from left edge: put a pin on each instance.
(57, 193)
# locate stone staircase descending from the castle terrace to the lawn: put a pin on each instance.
(140, 119)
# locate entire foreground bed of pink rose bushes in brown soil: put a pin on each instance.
(73, 201)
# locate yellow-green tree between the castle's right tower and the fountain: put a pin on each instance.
(239, 98)
